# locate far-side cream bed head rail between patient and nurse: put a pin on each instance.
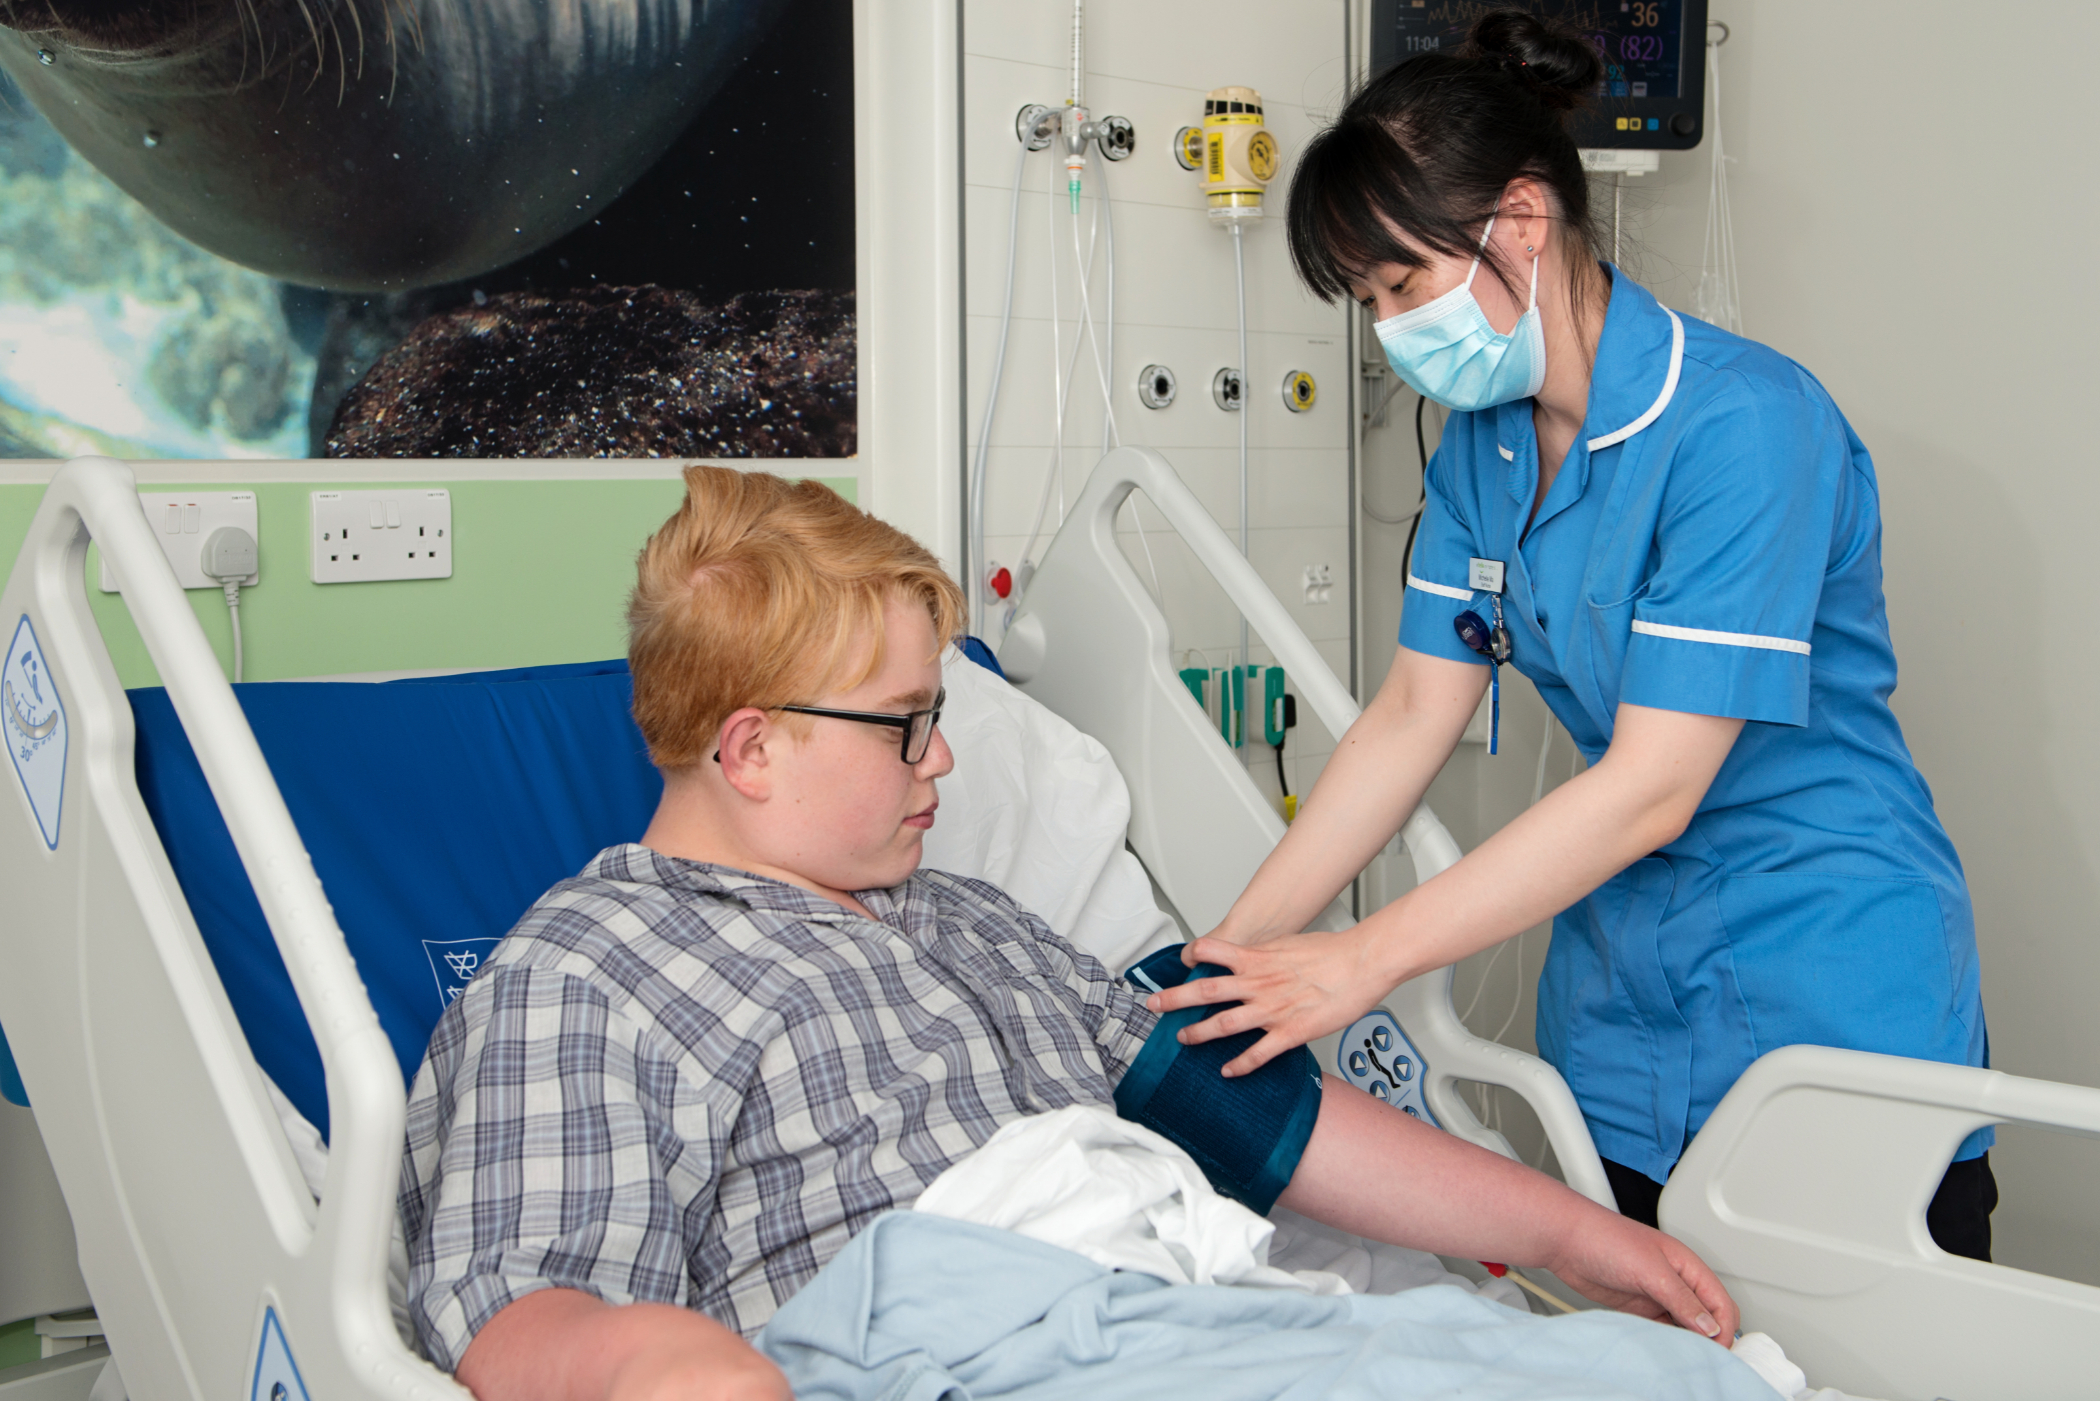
(1093, 646)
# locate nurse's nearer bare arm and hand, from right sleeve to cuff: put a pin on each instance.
(1639, 797)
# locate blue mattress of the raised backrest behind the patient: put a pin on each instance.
(436, 812)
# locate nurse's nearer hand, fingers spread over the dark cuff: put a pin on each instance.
(1299, 986)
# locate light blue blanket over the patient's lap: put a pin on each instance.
(927, 1310)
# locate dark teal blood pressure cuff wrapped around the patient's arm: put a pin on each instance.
(1244, 1133)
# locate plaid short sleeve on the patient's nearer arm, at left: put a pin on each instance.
(543, 1156)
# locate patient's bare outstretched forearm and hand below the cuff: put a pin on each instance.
(1383, 1175)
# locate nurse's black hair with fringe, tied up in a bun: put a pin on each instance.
(1431, 144)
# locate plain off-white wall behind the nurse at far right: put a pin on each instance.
(1914, 203)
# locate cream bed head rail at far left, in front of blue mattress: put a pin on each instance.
(201, 1245)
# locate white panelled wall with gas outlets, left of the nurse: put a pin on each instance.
(1175, 301)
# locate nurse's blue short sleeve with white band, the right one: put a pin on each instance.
(1725, 621)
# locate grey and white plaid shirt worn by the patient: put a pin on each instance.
(690, 1085)
